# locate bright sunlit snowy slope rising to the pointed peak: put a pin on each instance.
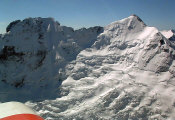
(128, 73)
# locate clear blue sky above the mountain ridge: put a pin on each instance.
(87, 13)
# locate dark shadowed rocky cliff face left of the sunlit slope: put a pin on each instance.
(33, 53)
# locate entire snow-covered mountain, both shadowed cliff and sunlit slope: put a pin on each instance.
(122, 71)
